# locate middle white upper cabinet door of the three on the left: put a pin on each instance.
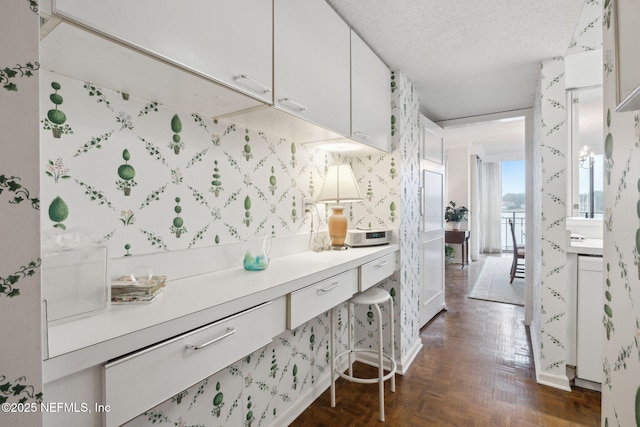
(311, 63)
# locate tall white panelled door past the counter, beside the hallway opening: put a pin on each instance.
(432, 221)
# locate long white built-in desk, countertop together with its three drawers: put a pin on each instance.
(231, 312)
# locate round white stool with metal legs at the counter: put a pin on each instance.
(372, 297)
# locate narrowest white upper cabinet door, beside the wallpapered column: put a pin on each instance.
(370, 97)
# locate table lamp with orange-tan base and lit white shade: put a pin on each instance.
(339, 186)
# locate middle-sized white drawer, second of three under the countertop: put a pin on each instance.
(312, 301)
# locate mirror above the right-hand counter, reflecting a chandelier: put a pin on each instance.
(587, 153)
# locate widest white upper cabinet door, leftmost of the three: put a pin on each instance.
(228, 41)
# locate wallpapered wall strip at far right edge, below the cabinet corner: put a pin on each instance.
(621, 290)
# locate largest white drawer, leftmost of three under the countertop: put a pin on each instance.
(139, 381)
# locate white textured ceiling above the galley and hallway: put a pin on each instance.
(465, 57)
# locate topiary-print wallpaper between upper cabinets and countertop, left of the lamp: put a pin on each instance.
(144, 177)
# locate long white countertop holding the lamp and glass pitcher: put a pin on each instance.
(189, 303)
